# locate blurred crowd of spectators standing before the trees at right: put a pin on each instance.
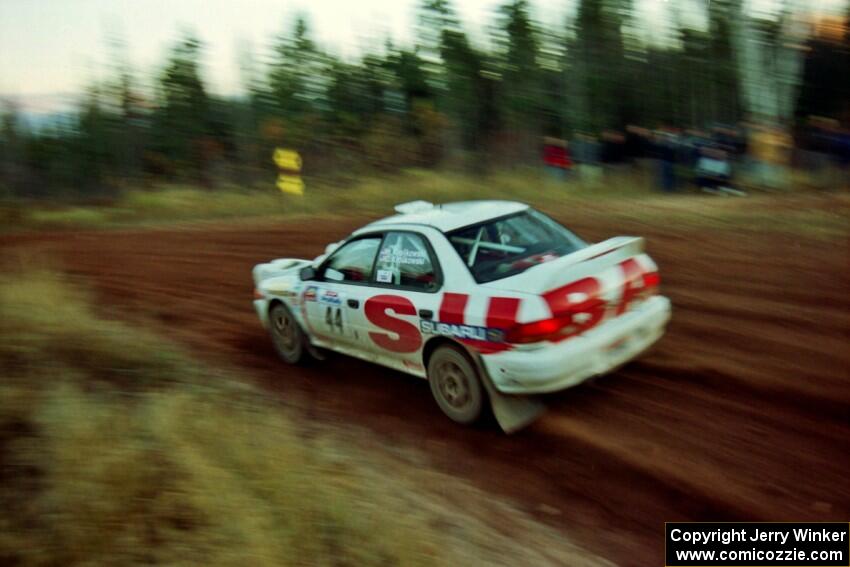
(724, 159)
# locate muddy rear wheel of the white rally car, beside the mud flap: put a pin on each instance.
(455, 385)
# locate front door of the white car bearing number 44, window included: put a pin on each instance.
(338, 292)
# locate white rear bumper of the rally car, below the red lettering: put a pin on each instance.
(558, 366)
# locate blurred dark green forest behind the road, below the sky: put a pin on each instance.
(445, 102)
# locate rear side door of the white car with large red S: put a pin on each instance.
(403, 292)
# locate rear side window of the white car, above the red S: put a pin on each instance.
(404, 261)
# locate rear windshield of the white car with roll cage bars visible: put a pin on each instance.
(510, 245)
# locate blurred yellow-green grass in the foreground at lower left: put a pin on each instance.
(116, 447)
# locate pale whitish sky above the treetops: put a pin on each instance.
(54, 48)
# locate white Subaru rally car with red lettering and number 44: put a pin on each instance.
(488, 300)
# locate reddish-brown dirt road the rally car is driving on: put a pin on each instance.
(742, 412)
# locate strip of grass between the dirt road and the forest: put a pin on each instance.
(628, 197)
